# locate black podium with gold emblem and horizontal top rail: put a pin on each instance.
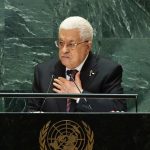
(73, 131)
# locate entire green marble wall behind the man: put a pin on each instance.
(28, 31)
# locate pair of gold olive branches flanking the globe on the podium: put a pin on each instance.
(44, 131)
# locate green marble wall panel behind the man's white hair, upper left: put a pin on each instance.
(41, 18)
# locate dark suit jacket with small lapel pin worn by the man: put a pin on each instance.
(107, 78)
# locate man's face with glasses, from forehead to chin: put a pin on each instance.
(70, 55)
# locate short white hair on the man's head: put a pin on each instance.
(76, 22)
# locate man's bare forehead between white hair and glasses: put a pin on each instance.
(69, 35)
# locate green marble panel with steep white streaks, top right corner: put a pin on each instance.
(126, 18)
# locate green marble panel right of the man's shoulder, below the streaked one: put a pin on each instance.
(133, 55)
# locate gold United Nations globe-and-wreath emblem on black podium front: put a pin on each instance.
(66, 135)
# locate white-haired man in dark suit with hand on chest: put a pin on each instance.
(94, 74)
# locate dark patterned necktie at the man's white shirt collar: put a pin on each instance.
(72, 74)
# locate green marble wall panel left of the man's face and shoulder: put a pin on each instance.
(21, 55)
